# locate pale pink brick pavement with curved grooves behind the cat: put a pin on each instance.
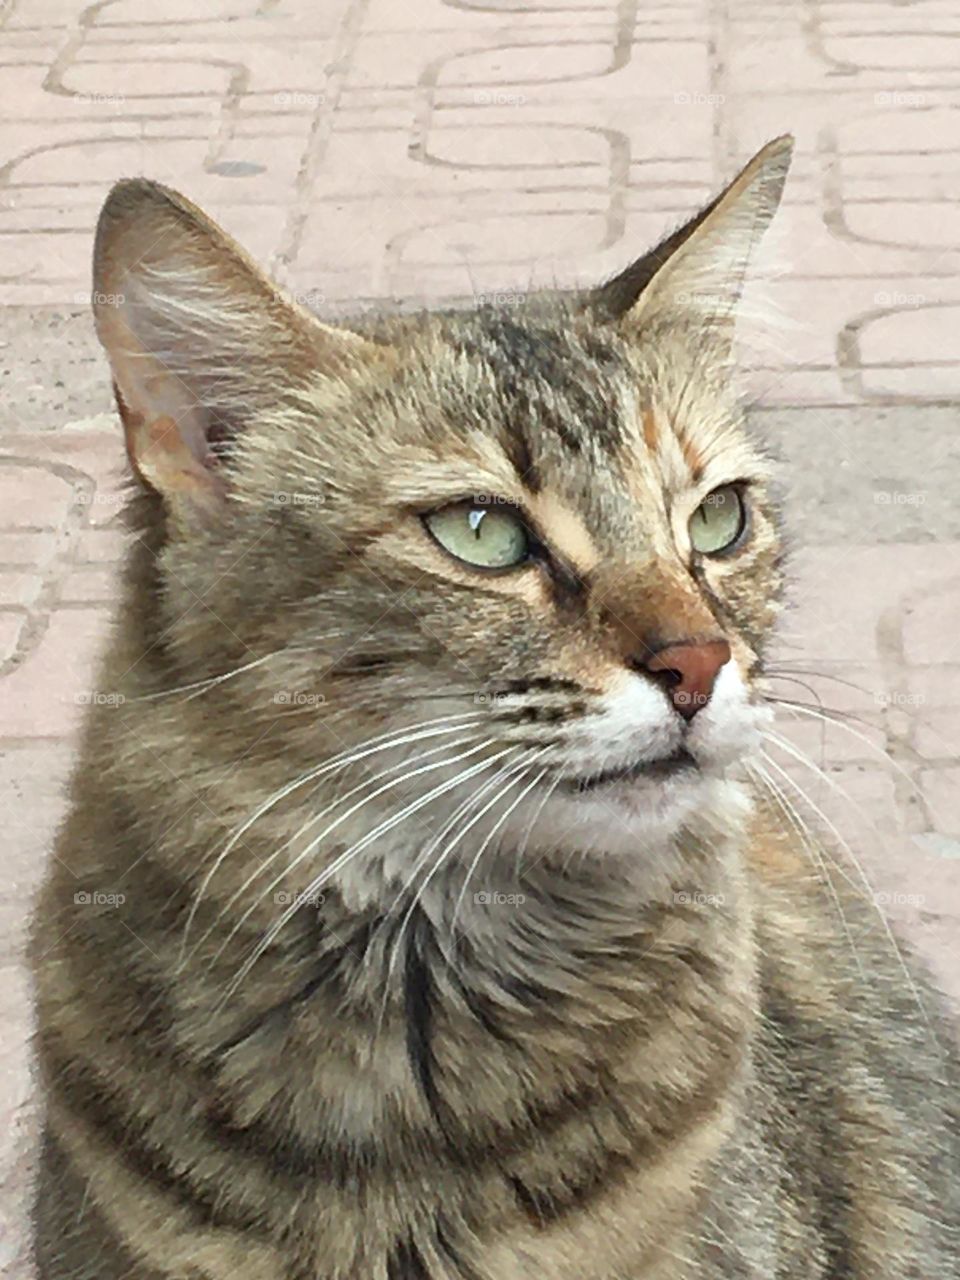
(376, 150)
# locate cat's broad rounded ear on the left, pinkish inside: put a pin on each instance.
(200, 341)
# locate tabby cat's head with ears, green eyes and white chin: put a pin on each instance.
(540, 533)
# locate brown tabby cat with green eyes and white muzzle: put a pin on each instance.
(419, 915)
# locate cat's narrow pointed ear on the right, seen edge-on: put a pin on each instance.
(697, 273)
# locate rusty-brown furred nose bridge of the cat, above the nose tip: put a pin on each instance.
(647, 607)
